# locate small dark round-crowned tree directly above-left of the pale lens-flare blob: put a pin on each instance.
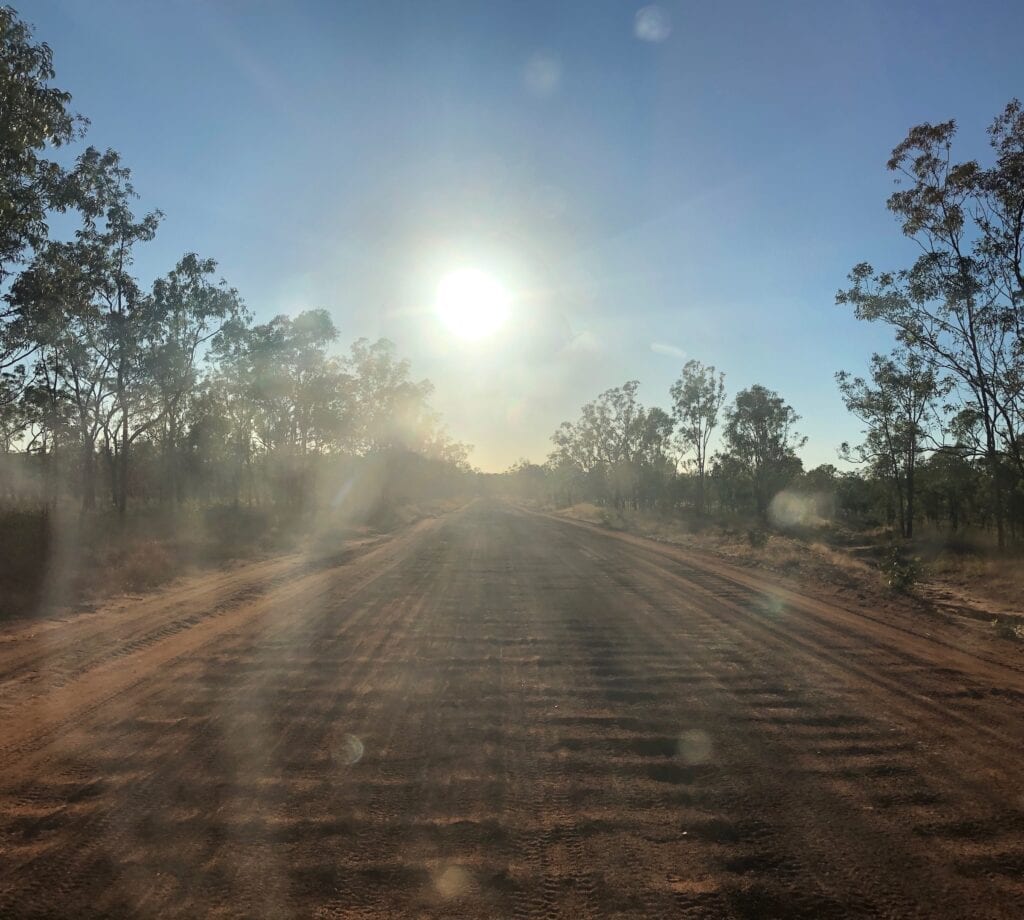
(760, 437)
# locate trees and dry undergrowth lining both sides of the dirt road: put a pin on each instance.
(145, 428)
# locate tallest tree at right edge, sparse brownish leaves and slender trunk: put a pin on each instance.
(961, 304)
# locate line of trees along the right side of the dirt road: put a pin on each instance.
(943, 415)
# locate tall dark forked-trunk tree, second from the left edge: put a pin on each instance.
(88, 316)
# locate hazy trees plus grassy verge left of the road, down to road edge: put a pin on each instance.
(147, 429)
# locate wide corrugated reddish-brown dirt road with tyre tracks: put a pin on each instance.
(501, 715)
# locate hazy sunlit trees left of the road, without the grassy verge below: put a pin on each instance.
(112, 393)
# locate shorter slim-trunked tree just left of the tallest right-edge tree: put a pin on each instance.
(899, 407)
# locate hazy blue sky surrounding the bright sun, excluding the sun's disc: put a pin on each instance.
(696, 182)
